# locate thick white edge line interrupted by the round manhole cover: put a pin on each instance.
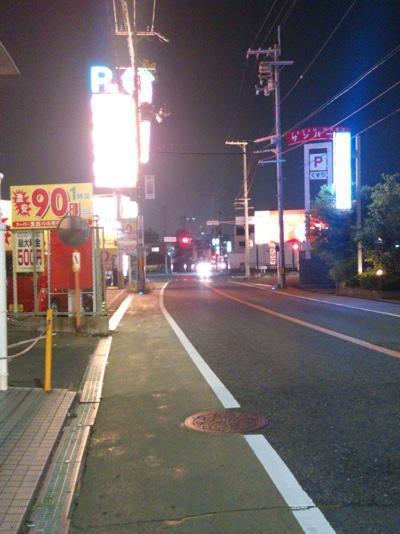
(307, 514)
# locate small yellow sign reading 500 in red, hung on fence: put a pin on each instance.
(29, 245)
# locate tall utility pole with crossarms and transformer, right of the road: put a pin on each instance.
(269, 81)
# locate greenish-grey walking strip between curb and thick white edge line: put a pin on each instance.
(145, 471)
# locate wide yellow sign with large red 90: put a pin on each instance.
(44, 205)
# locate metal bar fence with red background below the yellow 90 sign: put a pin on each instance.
(40, 277)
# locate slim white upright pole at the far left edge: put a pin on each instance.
(3, 306)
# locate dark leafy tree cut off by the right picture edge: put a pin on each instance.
(380, 233)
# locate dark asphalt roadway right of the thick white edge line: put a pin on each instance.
(332, 402)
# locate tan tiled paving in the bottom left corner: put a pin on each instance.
(30, 424)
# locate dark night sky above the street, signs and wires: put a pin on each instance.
(207, 85)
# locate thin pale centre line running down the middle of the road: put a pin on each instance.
(312, 326)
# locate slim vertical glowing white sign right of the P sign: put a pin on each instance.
(342, 169)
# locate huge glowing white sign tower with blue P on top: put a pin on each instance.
(114, 131)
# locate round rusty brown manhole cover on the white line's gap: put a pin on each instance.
(225, 422)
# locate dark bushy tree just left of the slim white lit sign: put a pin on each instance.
(332, 235)
